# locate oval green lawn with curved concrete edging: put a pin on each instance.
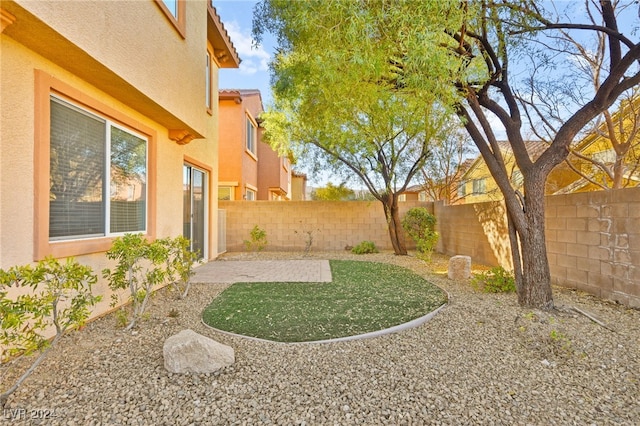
(363, 297)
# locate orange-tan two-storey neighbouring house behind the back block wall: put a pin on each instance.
(249, 169)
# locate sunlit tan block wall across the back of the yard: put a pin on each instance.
(333, 224)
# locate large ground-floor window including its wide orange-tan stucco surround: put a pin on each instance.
(86, 208)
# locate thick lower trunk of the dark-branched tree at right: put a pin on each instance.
(535, 289)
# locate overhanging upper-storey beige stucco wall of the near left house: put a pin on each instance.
(126, 41)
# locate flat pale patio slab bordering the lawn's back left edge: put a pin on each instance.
(263, 271)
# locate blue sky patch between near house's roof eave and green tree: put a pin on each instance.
(237, 16)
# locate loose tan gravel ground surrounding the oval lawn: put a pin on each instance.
(481, 360)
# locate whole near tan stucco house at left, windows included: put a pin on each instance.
(137, 80)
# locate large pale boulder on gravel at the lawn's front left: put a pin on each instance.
(190, 352)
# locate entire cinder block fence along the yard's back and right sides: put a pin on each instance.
(593, 239)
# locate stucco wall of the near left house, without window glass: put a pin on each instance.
(125, 62)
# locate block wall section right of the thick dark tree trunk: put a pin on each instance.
(593, 242)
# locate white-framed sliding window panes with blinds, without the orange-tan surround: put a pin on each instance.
(98, 175)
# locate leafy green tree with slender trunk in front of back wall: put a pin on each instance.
(359, 86)
